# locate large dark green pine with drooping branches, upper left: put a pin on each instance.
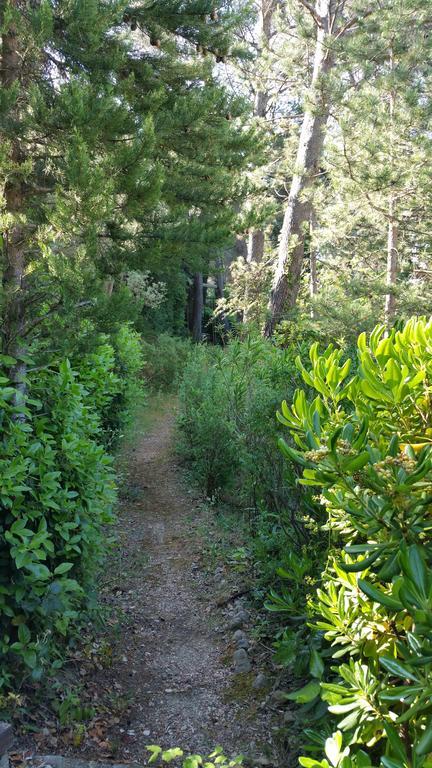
(115, 135)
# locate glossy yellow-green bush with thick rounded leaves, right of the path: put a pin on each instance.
(366, 443)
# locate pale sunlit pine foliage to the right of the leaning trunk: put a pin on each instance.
(374, 207)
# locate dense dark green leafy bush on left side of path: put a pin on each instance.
(56, 492)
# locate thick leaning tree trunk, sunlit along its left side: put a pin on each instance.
(286, 281)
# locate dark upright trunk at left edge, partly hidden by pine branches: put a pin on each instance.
(14, 237)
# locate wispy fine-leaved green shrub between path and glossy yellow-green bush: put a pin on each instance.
(228, 432)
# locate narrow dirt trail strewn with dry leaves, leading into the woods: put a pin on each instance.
(172, 659)
